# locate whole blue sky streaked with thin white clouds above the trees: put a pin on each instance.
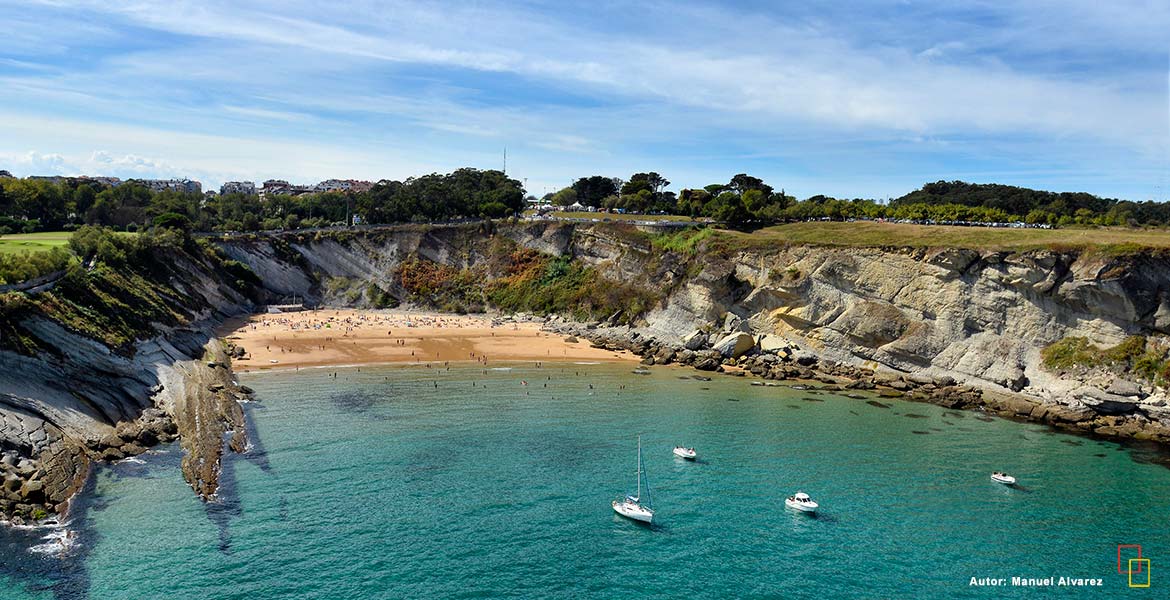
(845, 99)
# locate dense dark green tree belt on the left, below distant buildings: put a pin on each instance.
(36, 205)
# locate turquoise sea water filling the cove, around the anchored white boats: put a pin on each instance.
(381, 485)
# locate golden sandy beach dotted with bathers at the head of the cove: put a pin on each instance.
(364, 337)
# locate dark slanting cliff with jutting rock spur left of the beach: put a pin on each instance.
(116, 357)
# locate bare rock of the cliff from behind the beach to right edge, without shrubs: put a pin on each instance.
(981, 318)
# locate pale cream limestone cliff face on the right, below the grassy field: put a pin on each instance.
(960, 313)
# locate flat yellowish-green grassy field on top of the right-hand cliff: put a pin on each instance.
(873, 235)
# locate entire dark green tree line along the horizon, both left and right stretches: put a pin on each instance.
(32, 205)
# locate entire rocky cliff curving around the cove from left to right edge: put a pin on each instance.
(121, 355)
